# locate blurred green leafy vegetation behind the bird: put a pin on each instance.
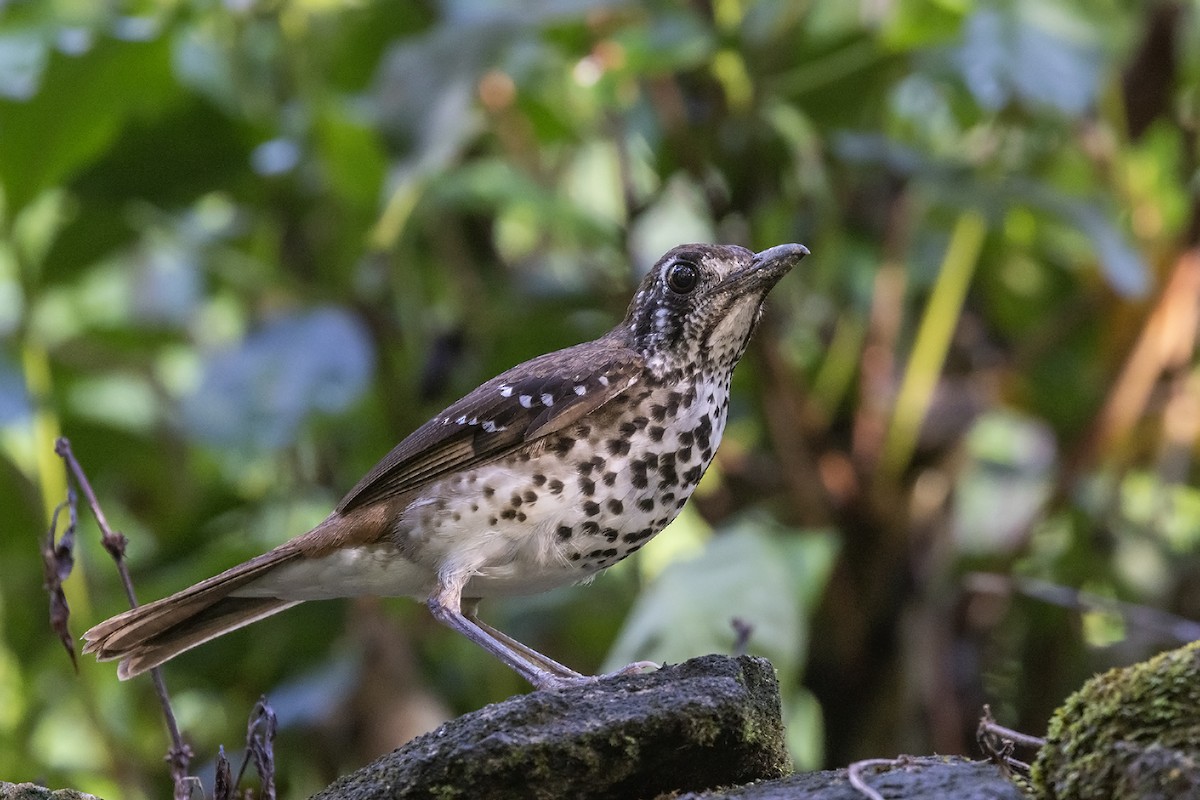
(247, 246)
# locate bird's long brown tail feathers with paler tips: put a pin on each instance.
(147, 636)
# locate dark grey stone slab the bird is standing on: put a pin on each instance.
(710, 723)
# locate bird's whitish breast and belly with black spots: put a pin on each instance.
(589, 497)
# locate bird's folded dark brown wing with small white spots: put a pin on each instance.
(519, 407)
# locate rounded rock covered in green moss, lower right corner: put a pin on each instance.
(1127, 733)
